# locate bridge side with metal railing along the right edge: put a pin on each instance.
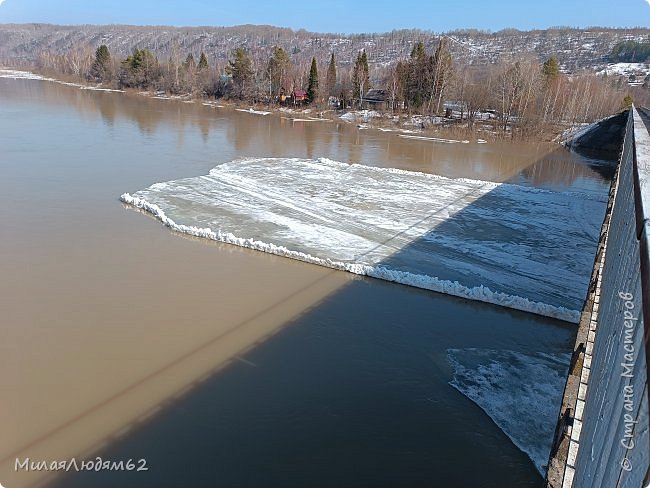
(602, 437)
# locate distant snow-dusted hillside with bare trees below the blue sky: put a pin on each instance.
(575, 49)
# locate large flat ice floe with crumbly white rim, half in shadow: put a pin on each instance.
(523, 248)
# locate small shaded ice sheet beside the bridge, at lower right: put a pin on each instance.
(520, 392)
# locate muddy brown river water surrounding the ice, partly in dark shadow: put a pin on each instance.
(218, 365)
